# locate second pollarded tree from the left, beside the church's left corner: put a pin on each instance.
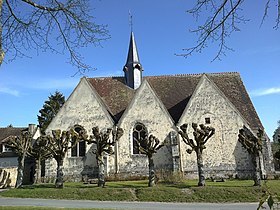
(40, 152)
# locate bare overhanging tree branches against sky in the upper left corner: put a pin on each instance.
(54, 25)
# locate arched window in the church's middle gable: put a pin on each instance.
(139, 133)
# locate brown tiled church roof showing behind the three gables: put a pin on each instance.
(175, 91)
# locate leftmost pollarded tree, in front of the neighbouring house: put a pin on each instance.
(21, 145)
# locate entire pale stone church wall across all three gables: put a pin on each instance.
(224, 156)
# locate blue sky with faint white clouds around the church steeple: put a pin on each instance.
(161, 29)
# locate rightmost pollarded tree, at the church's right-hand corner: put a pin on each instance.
(253, 144)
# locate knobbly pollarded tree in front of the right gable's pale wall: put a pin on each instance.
(201, 135)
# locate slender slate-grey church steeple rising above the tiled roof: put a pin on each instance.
(133, 68)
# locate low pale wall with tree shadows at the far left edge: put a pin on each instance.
(8, 177)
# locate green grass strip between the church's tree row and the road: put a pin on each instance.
(187, 191)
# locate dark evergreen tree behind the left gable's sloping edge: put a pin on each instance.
(50, 109)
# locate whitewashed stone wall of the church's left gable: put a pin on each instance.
(83, 108)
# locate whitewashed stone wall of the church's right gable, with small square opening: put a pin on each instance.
(223, 153)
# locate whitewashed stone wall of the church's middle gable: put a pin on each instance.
(148, 110)
